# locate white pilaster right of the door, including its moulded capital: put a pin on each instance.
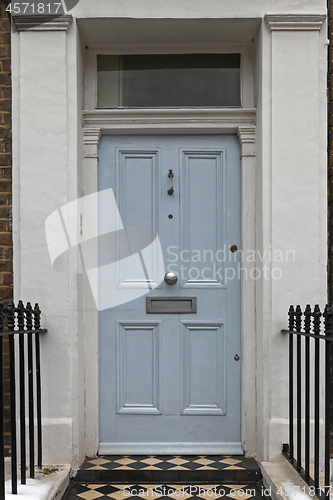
(293, 201)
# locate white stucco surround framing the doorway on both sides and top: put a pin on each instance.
(289, 70)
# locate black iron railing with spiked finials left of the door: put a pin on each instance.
(22, 323)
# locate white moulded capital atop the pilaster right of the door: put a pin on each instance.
(295, 22)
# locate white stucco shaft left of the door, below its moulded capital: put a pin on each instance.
(47, 128)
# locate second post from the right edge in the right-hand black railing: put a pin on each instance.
(316, 331)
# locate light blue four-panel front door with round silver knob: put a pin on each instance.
(169, 382)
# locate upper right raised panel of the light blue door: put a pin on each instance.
(202, 218)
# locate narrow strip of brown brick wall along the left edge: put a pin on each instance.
(6, 247)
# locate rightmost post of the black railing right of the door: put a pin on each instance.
(328, 397)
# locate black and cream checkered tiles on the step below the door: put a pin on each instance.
(165, 477)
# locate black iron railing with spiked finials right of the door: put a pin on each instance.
(310, 328)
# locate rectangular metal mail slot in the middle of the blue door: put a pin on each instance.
(171, 305)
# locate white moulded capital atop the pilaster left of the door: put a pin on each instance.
(42, 23)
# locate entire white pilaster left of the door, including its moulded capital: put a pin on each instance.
(41, 180)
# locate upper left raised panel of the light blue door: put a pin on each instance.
(137, 188)
